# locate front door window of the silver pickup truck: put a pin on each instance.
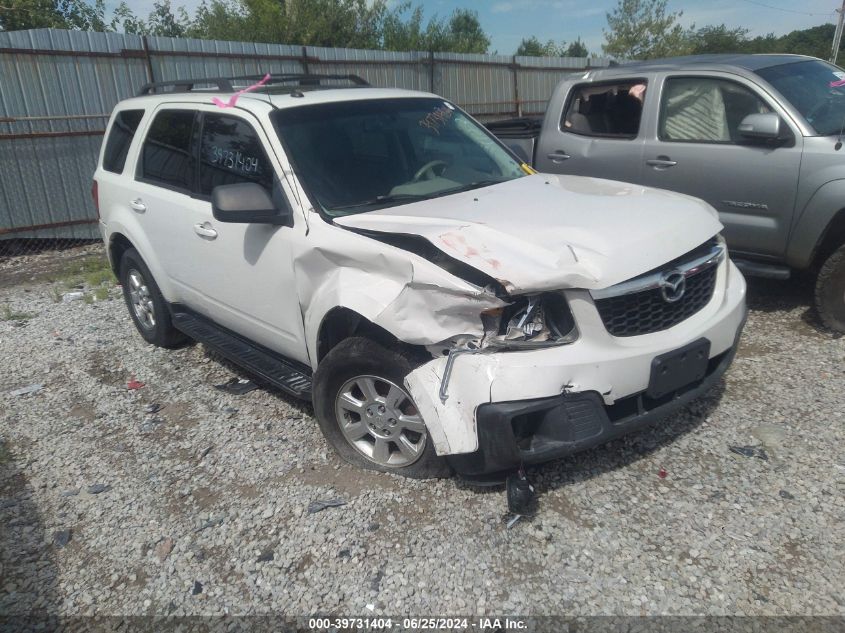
(705, 110)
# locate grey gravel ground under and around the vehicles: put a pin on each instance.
(202, 507)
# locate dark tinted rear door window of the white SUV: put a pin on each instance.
(167, 159)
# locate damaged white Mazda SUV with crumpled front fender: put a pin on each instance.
(379, 252)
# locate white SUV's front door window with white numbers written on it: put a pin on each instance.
(230, 153)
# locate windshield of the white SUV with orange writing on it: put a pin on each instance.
(357, 156)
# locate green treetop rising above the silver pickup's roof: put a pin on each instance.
(642, 29)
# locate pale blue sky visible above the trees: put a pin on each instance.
(508, 21)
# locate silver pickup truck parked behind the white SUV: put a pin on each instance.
(759, 137)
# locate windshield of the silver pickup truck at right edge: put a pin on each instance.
(813, 87)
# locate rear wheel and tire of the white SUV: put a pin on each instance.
(147, 307)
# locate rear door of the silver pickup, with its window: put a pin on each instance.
(598, 132)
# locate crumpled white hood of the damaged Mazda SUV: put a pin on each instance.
(548, 232)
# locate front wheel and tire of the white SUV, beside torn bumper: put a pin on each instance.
(362, 415)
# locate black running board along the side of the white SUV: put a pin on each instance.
(288, 375)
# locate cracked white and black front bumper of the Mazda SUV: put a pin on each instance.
(508, 408)
